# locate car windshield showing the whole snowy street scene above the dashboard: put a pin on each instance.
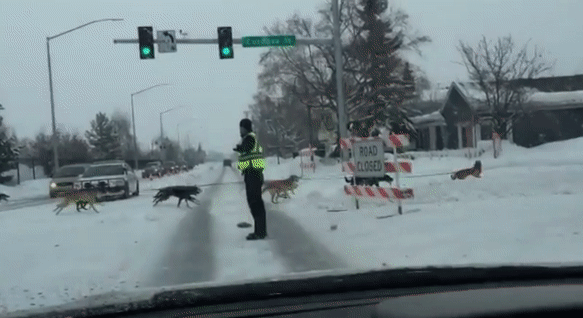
(401, 133)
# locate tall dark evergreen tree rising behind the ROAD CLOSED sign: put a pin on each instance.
(390, 80)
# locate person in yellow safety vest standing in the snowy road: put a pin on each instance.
(251, 164)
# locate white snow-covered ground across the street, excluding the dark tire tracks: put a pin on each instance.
(527, 208)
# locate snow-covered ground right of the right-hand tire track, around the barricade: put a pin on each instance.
(526, 206)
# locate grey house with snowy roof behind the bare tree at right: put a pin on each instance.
(553, 110)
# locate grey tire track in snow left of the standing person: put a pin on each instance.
(190, 257)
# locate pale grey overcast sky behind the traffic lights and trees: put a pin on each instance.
(91, 74)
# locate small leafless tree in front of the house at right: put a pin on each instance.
(496, 67)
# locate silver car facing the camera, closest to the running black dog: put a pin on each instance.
(111, 179)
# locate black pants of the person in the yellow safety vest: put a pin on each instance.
(253, 182)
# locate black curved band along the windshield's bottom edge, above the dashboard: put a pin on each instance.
(293, 284)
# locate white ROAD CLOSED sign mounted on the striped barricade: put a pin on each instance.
(369, 158)
